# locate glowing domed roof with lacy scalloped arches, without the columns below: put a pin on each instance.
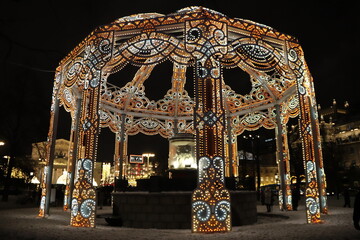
(270, 58)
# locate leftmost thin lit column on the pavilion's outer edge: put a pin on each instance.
(50, 148)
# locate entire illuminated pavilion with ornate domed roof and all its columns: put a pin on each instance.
(206, 41)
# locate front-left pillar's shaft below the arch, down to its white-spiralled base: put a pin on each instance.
(83, 203)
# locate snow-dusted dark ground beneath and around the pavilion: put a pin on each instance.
(20, 222)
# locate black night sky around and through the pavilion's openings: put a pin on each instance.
(36, 35)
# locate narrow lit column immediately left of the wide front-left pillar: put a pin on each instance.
(72, 156)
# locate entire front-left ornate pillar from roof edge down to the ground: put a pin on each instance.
(96, 53)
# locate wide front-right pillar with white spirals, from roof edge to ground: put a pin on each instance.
(310, 145)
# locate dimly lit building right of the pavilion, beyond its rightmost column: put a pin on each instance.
(340, 130)
